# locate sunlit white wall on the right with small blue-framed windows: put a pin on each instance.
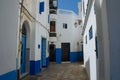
(89, 37)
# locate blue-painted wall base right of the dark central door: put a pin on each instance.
(76, 56)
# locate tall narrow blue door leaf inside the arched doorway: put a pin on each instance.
(23, 54)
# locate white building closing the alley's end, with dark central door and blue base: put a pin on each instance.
(68, 37)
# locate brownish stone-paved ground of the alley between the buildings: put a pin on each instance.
(64, 71)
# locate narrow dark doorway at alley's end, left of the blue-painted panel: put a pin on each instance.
(52, 48)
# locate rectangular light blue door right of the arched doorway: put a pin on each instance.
(43, 52)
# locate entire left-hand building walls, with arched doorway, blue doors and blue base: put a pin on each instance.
(28, 34)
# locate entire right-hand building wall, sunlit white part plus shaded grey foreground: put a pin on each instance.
(101, 50)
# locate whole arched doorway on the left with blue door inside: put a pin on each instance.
(25, 49)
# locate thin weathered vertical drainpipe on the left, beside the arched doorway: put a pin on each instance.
(20, 43)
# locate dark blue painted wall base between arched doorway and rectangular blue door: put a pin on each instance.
(35, 67)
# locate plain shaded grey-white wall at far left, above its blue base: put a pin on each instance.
(9, 12)
